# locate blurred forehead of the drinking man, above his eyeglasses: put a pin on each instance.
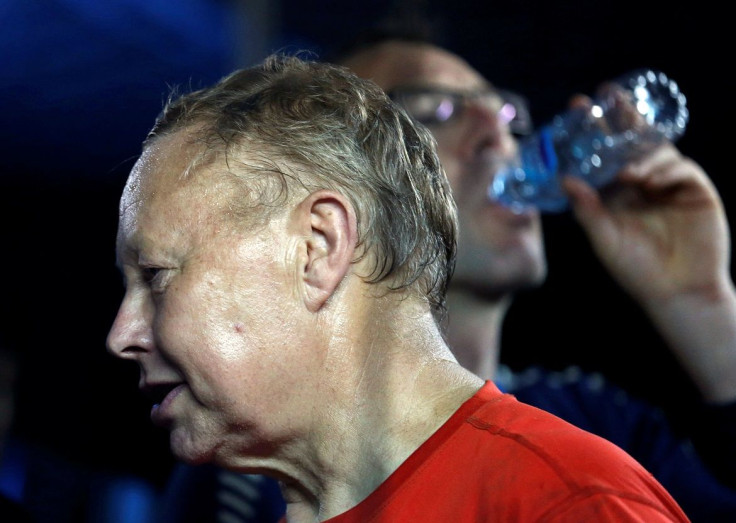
(395, 64)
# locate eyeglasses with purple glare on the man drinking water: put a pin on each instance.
(434, 106)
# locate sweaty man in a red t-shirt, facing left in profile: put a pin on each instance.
(286, 237)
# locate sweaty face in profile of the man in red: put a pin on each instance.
(210, 313)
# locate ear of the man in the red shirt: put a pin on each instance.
(327, 221)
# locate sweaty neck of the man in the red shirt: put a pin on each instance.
(388, 386)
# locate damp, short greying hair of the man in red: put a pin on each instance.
(298, 124)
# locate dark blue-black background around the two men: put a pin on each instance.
(82, 81)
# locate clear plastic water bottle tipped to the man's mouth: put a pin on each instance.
(634, 113)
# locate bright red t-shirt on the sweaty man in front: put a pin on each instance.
(497, 459)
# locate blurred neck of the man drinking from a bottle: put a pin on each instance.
(474, 330)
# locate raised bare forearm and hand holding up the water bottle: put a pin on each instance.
(663, 235)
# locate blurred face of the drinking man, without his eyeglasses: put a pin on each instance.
(498, 251)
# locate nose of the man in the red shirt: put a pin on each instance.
(131, 334)
